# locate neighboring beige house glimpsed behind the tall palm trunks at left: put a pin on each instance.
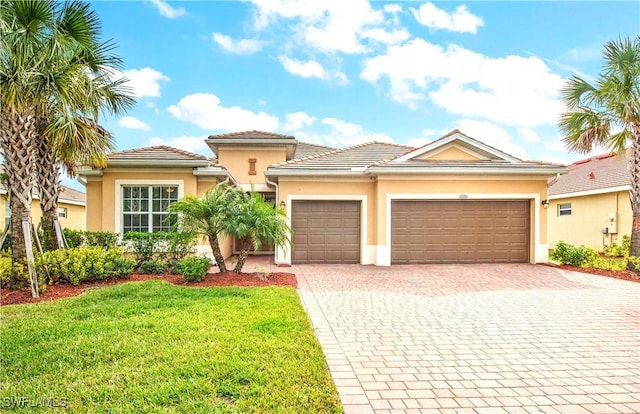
(71, 208)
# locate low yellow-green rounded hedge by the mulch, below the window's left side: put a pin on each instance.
(86, 263)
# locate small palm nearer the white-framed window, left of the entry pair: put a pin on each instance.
(207, 216)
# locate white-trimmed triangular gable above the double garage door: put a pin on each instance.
(465, 144)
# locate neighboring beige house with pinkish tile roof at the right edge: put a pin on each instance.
(590, 205)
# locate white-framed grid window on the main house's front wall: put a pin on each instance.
(145, 208)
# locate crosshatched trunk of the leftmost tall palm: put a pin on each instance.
(17, 149)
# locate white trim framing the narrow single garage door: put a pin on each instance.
(367, 253)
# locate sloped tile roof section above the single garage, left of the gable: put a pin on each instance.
(358, 156)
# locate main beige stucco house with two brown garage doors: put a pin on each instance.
(453, 200)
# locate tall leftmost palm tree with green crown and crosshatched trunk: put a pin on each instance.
(50, 59)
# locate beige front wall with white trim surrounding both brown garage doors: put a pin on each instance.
(378, 195)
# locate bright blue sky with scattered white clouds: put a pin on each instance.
(343, 72)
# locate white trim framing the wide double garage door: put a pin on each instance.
(383, 257)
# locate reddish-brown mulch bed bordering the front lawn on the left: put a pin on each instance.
(64, 290)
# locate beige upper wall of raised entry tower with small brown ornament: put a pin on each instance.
(236, 160)
